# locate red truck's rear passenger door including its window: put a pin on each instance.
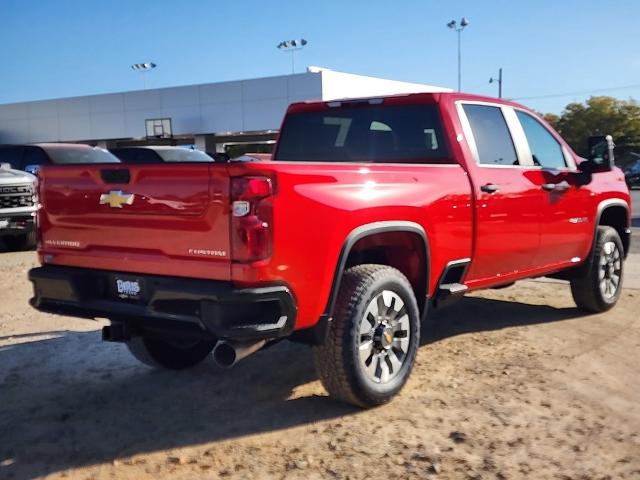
(507, 227)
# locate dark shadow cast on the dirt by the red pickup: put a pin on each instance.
(73, 401)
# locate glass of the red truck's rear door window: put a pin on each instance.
(490, 131)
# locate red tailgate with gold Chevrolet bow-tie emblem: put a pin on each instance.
(166, 219)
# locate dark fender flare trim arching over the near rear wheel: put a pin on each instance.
(365, 231)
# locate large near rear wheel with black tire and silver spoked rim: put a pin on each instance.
(338, 361)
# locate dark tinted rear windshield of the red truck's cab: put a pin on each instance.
(364, 133)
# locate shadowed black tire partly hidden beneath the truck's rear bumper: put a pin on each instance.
(174, 354)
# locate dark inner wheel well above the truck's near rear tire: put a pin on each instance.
(405, 251)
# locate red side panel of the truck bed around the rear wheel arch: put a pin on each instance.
(315, 212)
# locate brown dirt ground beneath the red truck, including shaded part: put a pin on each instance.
(512, 383)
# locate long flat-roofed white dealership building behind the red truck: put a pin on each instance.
(210, 115)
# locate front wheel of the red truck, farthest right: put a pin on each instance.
(588, 291)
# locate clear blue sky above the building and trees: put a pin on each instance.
(61, 48)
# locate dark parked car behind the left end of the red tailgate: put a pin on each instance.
(29, 158)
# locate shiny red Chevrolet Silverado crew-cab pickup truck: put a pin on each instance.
(370, 212)
